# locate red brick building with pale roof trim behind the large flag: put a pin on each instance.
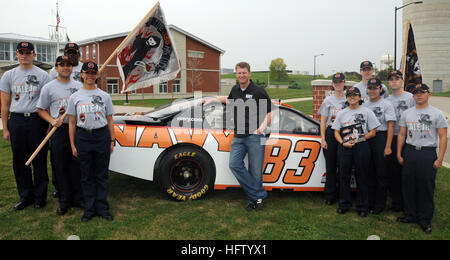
(200, 65)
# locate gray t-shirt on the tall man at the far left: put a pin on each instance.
(24, 86)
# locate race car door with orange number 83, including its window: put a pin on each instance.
(294, 158)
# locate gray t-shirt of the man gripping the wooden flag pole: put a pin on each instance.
(55, 95)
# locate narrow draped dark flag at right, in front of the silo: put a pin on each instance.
(410, 62)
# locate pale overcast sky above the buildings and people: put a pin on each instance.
(257, 31)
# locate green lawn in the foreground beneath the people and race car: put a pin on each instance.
(142, 211)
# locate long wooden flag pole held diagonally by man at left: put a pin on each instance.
(144, 20)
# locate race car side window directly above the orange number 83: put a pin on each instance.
(290, 122)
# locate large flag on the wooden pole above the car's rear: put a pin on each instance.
(149, 56)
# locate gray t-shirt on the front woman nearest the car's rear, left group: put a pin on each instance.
(90, 107)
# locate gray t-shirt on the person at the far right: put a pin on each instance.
(422, 126)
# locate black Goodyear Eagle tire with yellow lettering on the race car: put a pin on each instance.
(186, 173)
